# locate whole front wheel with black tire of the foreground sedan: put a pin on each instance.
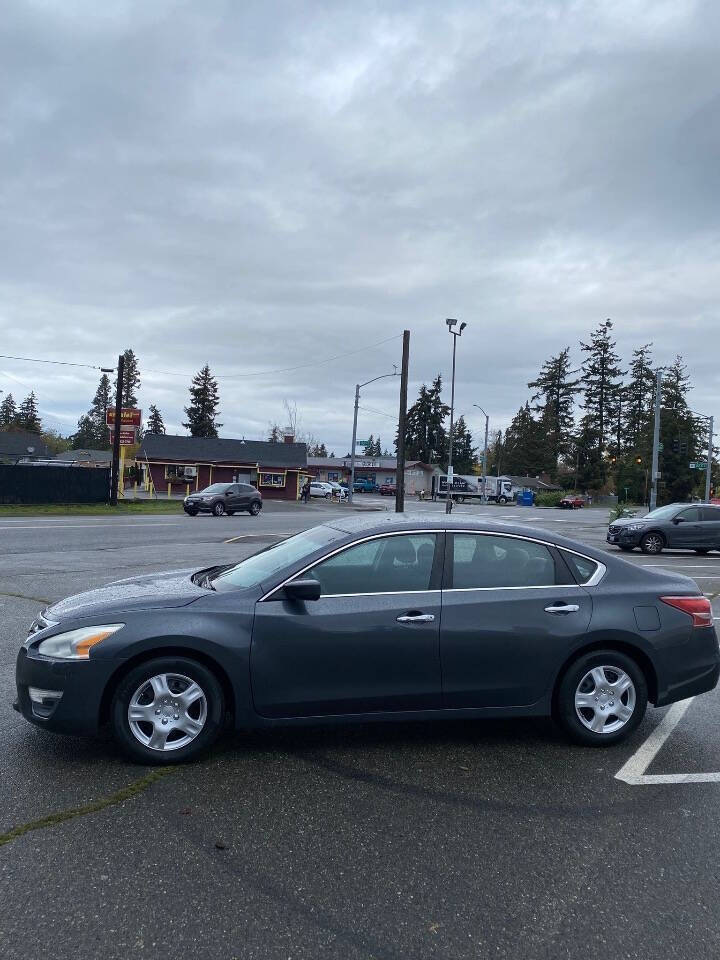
(207, 711)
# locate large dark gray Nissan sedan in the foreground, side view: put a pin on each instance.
(366, 619)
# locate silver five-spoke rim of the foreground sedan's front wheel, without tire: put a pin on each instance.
(167, 712)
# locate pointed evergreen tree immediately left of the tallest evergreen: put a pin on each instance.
(554, 401)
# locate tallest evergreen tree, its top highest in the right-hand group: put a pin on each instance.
(601, 397)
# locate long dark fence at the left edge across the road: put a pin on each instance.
(25, 483)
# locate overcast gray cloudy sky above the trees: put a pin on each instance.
(261, 185)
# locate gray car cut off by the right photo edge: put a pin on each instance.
(678, 526)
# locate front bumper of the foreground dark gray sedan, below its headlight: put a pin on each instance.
(80, 683)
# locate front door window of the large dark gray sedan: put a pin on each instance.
(395, 564)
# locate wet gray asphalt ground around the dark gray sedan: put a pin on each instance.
(450, 840)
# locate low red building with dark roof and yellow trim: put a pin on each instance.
(174, 463)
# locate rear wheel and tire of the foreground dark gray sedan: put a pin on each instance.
(575, 705)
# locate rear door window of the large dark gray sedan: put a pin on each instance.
(483, 560)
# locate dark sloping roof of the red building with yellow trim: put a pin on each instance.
(191, 450)
